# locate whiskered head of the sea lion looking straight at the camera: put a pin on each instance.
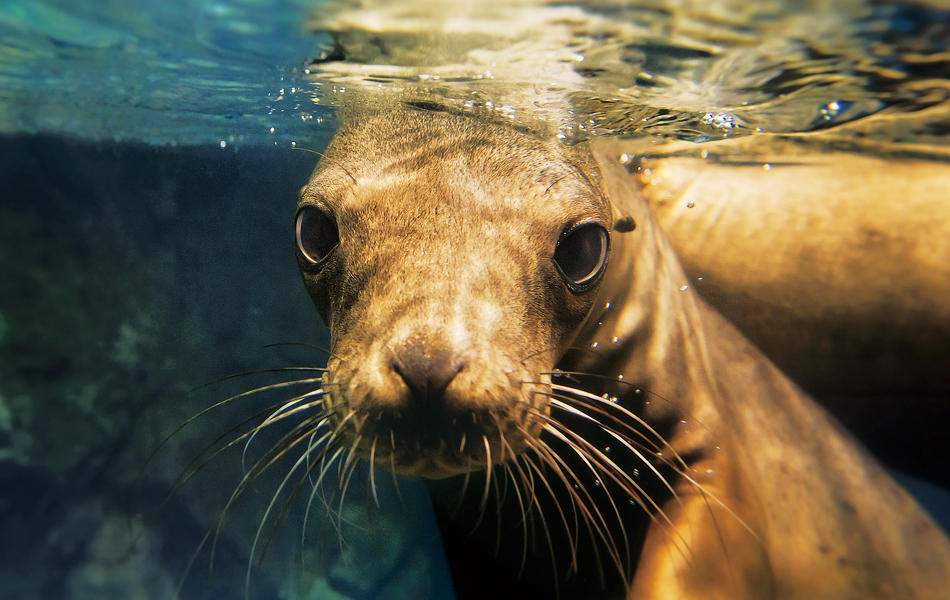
(453, 262)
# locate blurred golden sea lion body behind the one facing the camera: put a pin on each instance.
(836, 264)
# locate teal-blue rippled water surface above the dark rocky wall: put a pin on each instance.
(158, 72)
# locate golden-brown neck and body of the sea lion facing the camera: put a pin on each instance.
(814, 499)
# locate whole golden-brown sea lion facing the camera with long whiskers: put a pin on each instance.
(502, 304)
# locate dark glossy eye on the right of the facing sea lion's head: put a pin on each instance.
(581, 255)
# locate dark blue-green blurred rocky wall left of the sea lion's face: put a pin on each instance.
(130, 277)
